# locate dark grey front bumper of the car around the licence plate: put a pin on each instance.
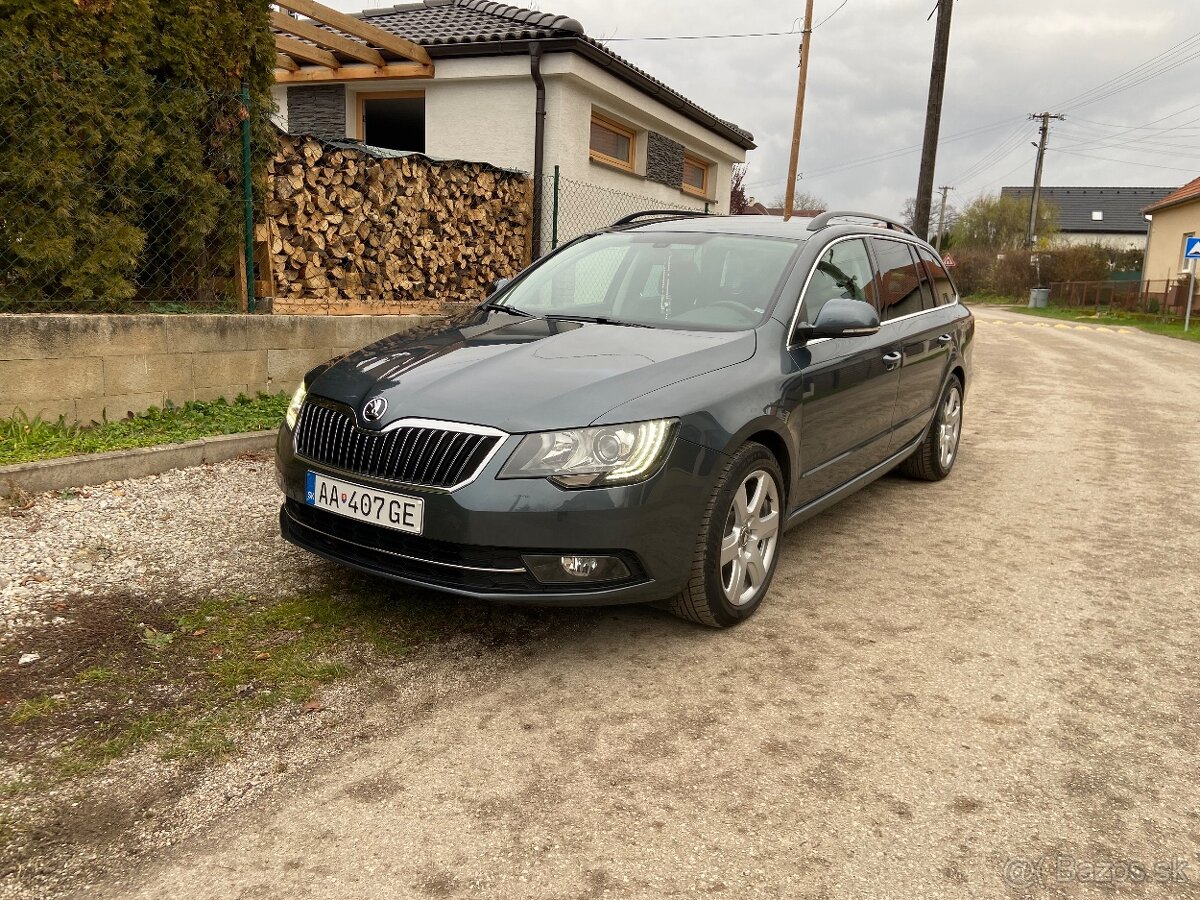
(475, 537)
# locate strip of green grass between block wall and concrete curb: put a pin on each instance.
(23, 440)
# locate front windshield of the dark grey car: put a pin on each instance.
(721, 283)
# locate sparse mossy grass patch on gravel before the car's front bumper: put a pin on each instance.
(188, 680)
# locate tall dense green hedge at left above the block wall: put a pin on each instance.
(121, 147)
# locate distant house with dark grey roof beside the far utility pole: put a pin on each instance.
(1112, 217)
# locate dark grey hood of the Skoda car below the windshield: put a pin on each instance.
(524, 375)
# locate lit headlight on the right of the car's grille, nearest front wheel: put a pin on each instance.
(593, 458)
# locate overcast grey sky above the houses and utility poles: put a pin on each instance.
(869, 80)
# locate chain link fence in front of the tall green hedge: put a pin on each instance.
(121, 193)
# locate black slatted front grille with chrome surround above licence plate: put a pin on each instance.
(427, 457)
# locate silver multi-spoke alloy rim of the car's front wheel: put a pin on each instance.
(752, 537)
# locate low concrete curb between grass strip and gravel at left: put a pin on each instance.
(121, 465)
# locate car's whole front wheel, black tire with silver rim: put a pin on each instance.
(739, 545)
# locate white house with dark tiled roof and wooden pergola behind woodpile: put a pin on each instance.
(517, 88)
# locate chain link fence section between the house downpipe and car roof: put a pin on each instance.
(573, 208)
